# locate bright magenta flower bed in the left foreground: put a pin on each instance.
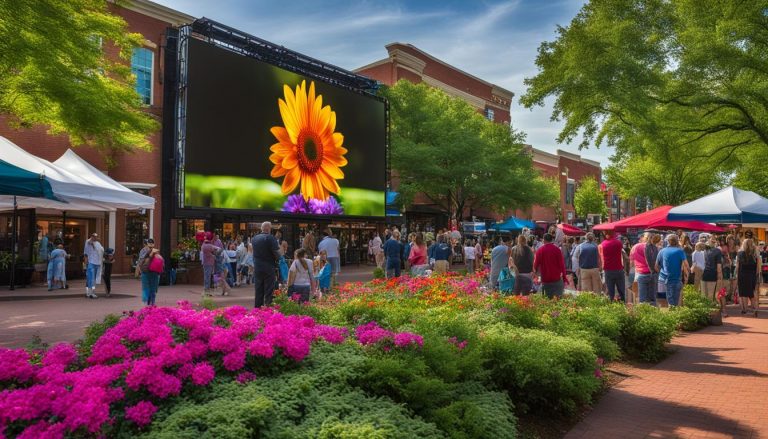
(149, 356)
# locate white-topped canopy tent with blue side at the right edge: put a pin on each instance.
(726, 206)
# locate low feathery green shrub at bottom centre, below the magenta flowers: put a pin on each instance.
(316, 400)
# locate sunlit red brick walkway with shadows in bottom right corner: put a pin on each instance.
(715, 385)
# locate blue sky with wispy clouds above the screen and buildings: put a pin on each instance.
(494, 40)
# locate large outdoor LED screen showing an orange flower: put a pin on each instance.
(261, 138)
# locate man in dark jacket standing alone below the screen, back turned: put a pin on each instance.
(266, 253)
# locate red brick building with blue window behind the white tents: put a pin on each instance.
(140, 171)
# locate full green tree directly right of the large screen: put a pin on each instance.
(444, 149)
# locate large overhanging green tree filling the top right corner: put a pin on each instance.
(620, 64)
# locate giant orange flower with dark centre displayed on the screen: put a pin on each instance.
(308, 150)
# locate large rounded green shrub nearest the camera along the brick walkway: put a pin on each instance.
(540, 370)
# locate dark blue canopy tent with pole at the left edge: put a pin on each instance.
(17, 182)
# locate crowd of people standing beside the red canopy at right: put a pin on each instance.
(718, 266)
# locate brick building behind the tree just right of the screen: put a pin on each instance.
(408, 62)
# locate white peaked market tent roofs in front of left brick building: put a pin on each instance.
(83, 187)
